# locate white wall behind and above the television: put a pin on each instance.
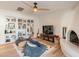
(54, 19)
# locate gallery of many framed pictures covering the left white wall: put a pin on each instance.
(16, 28)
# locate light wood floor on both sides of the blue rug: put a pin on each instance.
(8, 50)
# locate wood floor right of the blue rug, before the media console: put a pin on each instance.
(56, 49)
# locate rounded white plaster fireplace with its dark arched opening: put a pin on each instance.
(70, 45)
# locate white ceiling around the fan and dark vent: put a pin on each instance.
(52, 5)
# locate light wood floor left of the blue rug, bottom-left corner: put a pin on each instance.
(8, 50)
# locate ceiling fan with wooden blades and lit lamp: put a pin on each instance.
(35, 7)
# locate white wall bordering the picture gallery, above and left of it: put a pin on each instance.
(5, 13)
